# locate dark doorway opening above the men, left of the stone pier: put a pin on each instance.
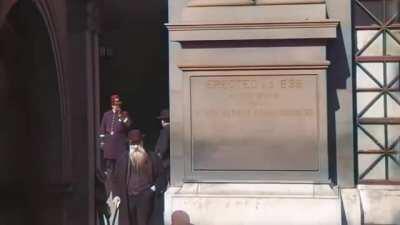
(134, 61)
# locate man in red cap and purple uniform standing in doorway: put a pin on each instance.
(113, 132)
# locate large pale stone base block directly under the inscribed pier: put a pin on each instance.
(255, 204)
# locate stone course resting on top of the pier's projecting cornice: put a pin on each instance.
(259, 11)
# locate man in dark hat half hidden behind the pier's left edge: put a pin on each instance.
(162, 151)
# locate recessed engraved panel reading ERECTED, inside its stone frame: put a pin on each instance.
(255, 123)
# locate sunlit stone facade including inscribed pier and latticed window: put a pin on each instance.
(283, 112)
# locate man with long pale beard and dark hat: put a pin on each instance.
(135, 181)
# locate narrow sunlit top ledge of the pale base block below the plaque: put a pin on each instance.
(256, 190)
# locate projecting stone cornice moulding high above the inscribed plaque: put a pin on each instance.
(186, 32)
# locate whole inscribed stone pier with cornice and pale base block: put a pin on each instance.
(249, 141)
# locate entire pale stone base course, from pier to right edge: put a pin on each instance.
(243, 204)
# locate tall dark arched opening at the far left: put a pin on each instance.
(31, 131)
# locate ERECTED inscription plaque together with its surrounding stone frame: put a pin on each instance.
(248, 123)
